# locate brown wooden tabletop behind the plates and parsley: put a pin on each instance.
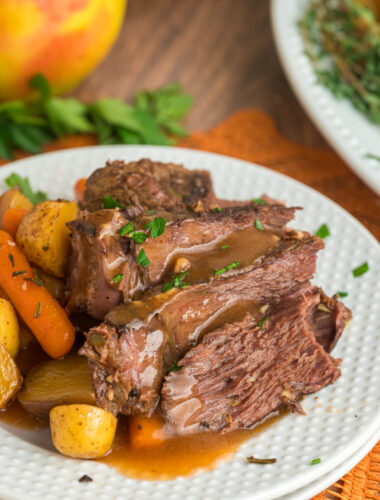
(222, 51)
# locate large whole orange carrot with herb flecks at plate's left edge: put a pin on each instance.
(40, 311)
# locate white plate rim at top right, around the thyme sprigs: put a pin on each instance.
(345, 128)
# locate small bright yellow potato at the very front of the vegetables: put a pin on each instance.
(82, 431)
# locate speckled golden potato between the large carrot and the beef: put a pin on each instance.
(44, 237)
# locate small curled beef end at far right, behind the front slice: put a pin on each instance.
(328, 320)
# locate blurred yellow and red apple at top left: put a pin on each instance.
(63, 39)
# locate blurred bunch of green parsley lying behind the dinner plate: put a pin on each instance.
(154, 118)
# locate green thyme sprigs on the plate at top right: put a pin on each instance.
(342, 41)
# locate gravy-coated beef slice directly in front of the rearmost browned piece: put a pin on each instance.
(100, 253)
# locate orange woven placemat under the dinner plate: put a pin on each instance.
(251, 135)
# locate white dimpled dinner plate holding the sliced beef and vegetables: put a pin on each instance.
(338, 423)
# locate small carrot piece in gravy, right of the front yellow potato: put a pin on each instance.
(145, 432)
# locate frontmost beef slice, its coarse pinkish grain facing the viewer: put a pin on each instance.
(245, 372)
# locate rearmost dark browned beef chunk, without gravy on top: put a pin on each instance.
(147, 185)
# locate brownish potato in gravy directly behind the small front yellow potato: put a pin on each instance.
(55, 383)
